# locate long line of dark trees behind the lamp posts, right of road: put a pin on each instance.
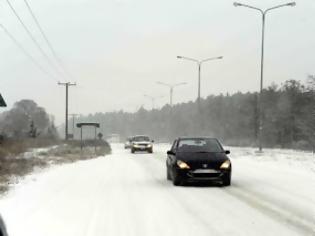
(288, 114)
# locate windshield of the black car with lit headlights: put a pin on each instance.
(199, 145)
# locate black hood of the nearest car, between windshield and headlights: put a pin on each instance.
(202, 160)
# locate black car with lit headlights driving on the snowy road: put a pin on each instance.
(198, 159)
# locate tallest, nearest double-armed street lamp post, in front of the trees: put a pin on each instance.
(263, 13)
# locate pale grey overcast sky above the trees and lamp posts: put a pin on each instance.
(118, 49)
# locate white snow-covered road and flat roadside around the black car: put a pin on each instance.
(125, 194)
